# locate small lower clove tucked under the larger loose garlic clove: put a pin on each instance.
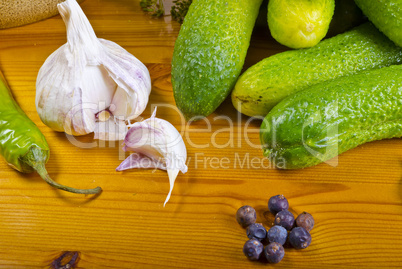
(139, 160)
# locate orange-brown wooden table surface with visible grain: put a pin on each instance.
(355, 200)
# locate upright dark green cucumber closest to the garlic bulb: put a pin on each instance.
(209, 53)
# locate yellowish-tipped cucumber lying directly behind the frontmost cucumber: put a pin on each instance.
(268, 82)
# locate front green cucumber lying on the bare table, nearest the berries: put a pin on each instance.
(329, 118)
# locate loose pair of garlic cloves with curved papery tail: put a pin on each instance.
(157, 144)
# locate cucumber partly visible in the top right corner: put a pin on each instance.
(386, 15)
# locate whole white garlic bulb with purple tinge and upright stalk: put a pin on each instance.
(89, 76)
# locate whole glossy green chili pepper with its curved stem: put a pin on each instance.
(22, 144)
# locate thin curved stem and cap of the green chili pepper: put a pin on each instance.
(36, 159)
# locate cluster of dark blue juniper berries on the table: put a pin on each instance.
(286, 230)
